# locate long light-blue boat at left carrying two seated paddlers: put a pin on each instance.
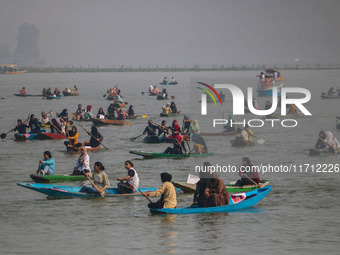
(63, 191)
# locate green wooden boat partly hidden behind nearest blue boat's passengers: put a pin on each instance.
(191, 187)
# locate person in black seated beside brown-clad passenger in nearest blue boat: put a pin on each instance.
(201, 185)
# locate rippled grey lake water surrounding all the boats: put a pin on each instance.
(299, 216)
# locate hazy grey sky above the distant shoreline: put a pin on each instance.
(177, 32)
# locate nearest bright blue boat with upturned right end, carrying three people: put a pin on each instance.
(238, 202)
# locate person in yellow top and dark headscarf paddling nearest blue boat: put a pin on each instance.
(167, 192)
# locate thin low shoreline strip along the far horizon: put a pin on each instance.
(220, 68)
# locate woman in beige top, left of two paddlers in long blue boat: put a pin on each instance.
(99, 178)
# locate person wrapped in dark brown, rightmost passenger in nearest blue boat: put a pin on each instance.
(215, 193)
